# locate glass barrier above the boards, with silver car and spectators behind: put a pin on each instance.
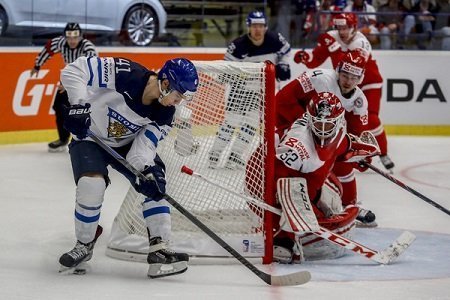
(208, 23)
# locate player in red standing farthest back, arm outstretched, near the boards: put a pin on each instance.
(335, 44)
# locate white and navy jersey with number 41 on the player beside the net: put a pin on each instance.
(114, 88)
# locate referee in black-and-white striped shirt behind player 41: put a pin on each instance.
(71, 45)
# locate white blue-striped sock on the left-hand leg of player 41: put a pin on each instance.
(89, 198)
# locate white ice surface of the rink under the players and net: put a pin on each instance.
(36, 226)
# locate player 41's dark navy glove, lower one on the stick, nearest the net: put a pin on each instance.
(154, 188)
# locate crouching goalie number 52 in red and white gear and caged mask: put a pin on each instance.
(305, 155)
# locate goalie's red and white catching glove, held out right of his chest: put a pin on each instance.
(360, 152)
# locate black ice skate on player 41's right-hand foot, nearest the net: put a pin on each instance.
(163, 261)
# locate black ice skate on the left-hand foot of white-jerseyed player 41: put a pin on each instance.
(72, 261)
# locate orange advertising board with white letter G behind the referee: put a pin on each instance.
(26, 102)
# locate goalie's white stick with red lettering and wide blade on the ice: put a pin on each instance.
(385, 256)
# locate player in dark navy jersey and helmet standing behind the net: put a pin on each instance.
(258, 45)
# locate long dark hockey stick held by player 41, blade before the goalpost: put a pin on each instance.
(296, 278)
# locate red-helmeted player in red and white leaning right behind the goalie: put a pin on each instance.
(291, 102)
